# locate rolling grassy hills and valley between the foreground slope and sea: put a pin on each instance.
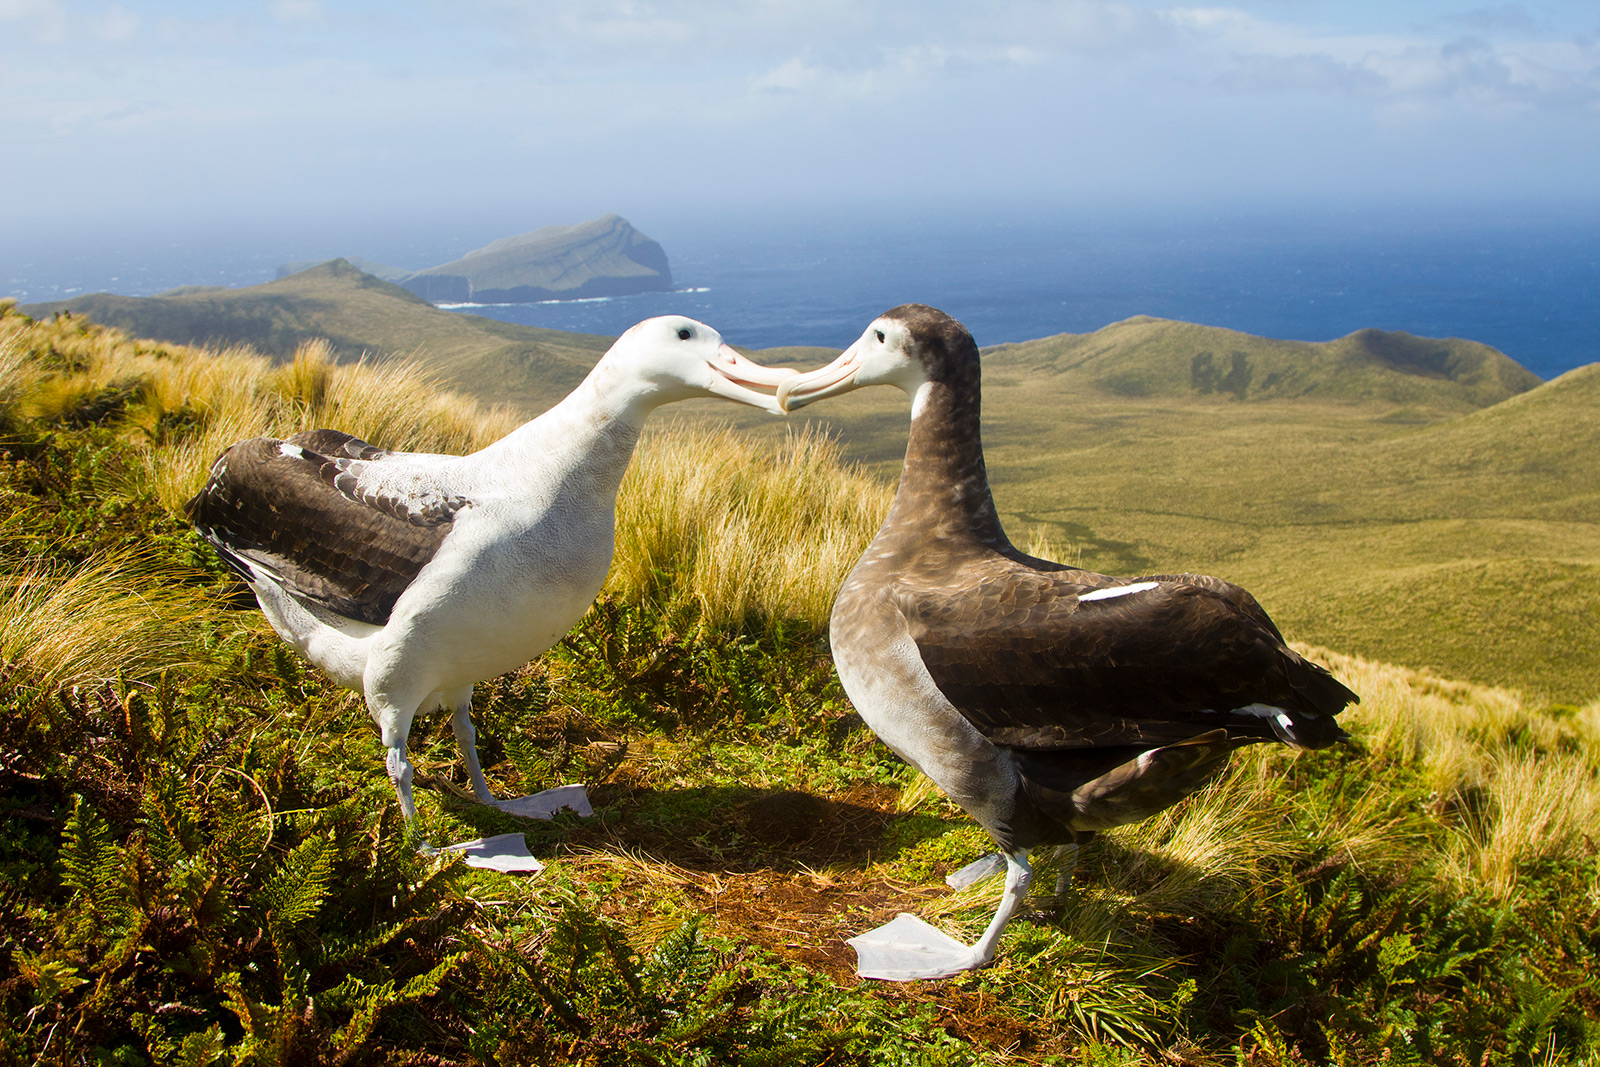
(1418, 502)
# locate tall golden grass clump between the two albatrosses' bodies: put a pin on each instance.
(753, 532)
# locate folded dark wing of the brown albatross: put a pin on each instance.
(1034, 666)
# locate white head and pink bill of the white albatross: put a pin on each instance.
(676, 359)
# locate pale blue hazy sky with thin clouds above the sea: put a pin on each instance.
(322, 113)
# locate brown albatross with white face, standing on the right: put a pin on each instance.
(1049, 701)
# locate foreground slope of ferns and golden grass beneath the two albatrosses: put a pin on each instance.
(204, 861)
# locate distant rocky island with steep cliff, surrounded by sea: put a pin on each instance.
(606, 257)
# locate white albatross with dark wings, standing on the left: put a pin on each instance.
(412, 577)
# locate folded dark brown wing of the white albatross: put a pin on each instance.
(295, 510)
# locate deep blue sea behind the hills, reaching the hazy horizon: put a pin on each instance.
(1527, 284)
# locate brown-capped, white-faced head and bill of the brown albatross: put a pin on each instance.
(905, 346)
